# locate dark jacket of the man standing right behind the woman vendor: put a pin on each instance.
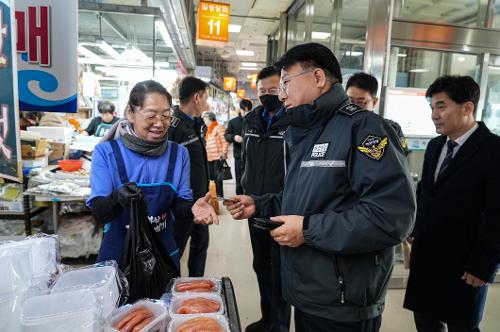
(187, 132)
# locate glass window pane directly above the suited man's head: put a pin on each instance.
(418, 68)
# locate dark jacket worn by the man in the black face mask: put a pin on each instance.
(264, 153)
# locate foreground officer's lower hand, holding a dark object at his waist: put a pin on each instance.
(290, 234)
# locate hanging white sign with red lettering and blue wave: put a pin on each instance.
(47, 39)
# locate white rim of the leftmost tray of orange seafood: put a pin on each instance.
(159, 311)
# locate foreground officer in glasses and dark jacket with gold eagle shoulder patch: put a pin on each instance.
(348, 199)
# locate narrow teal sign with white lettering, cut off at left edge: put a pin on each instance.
(10, 154)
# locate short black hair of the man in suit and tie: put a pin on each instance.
(460, 89)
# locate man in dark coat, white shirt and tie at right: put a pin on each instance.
(456, 246)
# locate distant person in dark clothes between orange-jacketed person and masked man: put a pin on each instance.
(234, 134)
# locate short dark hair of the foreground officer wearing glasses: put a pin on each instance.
(312, 55)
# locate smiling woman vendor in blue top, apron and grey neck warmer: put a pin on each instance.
(136, 160)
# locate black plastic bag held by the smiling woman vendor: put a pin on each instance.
(145, 262)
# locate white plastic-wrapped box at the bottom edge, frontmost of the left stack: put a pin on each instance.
(75, 310)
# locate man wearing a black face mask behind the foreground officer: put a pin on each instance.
(263, 159)
